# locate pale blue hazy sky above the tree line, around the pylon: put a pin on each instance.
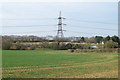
(40, 18)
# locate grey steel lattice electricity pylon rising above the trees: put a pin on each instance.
(60, 25)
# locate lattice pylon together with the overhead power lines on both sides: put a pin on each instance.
(60, 25)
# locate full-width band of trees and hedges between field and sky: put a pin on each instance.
(15, 43)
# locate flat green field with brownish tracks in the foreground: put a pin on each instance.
(58, 64)
